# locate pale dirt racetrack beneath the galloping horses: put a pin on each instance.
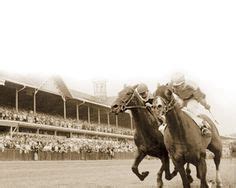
(98, 174)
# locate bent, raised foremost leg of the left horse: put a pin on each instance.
(139, 157)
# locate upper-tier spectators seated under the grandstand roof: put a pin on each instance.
(7, 113)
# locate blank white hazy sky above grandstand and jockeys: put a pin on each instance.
(126, 42)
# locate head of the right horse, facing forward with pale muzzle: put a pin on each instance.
(164, 98)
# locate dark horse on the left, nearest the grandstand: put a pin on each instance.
(148, 138)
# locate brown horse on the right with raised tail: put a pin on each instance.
(183, 139)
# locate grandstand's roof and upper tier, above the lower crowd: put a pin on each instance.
(40, 99)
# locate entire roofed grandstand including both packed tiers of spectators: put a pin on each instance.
(35, 107)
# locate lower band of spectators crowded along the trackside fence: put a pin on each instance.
(26, 143)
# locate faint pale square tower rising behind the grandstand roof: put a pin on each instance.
(100, 90)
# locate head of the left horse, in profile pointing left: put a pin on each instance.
(124, 99)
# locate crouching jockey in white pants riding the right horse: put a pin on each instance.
(193, 98)
